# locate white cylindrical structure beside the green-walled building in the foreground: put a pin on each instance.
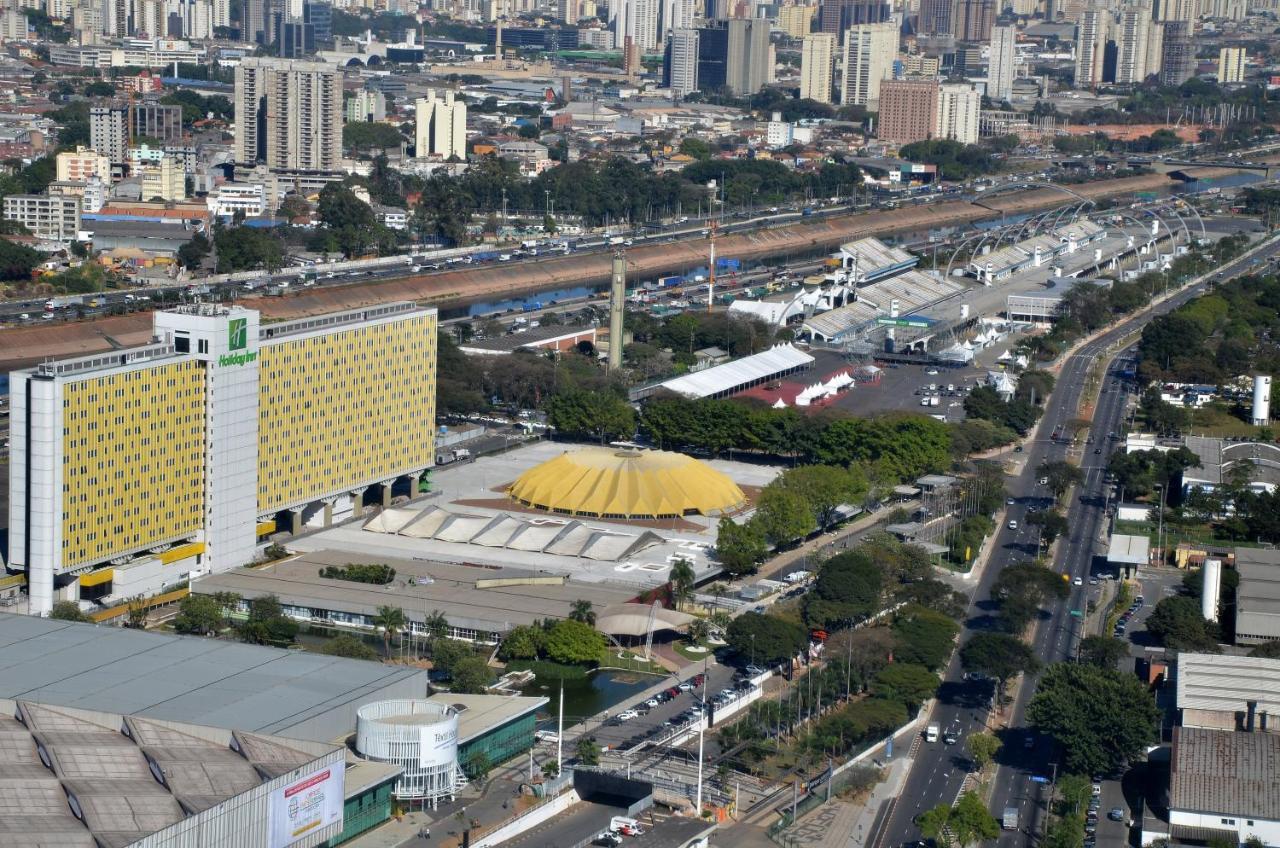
(419, 736)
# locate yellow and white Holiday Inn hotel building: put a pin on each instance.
(132, 471)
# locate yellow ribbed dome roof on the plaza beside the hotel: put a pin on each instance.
(605, 482)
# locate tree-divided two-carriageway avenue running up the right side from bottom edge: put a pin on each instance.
(939, 773)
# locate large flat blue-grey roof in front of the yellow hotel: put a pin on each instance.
(209, 682)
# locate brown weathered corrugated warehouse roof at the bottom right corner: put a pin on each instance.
(1226, 773)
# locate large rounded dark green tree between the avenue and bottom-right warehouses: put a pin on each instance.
(1101, 719)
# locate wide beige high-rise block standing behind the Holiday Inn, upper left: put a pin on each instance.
(289, 115)
